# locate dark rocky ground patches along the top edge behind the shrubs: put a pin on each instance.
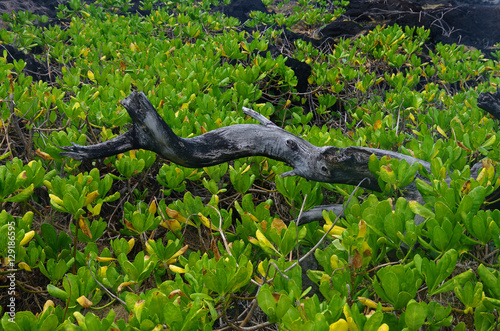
(473, 23)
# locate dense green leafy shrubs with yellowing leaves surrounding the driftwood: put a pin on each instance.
(194, 248)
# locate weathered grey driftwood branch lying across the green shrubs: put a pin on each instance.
(324, 164)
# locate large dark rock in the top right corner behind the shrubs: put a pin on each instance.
(449, 21)
